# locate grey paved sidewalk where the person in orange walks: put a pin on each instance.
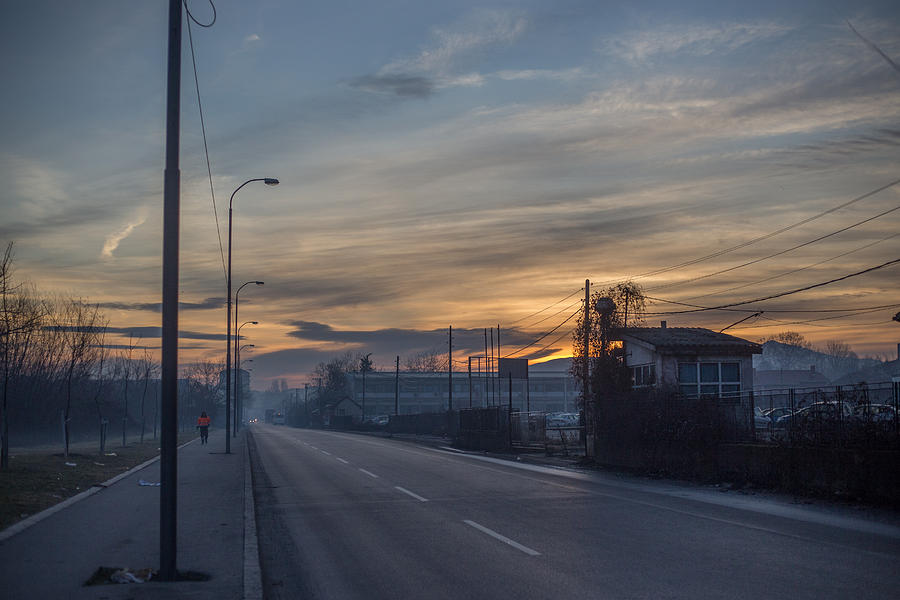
(119, 527)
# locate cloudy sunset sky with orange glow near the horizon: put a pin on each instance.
(463, 164)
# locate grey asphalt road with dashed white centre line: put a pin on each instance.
(350, 516)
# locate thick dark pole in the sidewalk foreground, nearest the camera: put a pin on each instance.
(168, 463)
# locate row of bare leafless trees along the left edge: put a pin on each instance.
(62, 380)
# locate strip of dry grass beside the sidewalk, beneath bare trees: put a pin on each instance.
(39, 478)
